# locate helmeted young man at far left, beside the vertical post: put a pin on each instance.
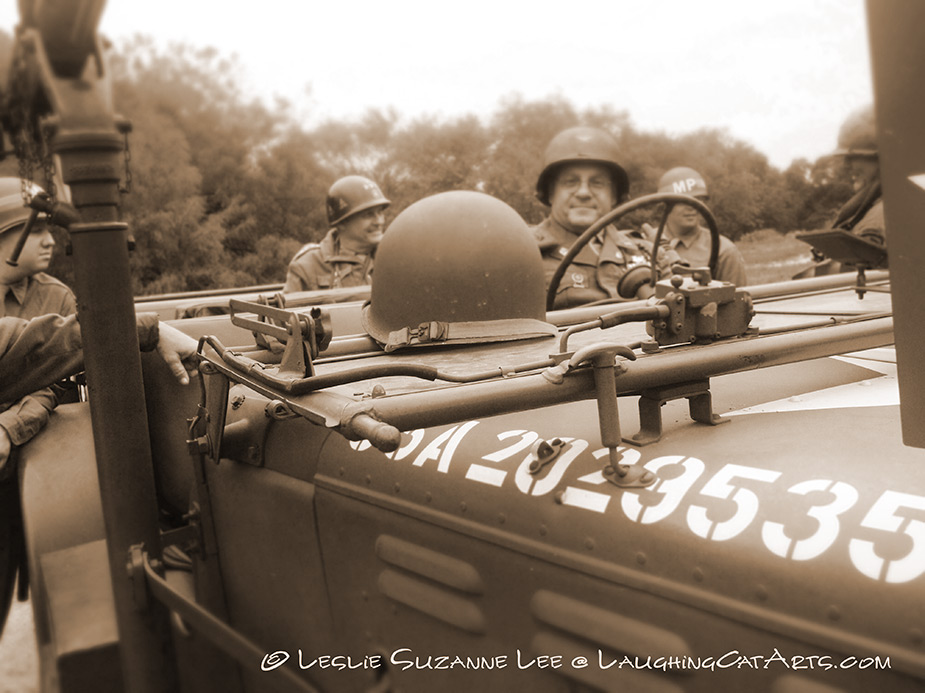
(27, 293)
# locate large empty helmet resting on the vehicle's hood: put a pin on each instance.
(454, 268)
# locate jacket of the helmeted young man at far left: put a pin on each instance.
(37, 295)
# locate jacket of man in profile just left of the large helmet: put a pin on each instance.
(326, 266)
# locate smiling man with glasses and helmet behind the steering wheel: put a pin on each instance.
(581, 181)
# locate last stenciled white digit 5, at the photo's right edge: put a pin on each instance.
(883, 515)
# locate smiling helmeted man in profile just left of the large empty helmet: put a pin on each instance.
(356, 215)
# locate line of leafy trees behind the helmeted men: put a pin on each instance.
(226, 188)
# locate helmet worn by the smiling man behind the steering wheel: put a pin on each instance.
(581, 145)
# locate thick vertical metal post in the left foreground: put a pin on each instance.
(84, 135)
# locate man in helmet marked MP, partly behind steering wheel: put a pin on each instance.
(689, 237)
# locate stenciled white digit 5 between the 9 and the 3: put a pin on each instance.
(746, 502)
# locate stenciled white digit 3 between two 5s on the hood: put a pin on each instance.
(776, 539)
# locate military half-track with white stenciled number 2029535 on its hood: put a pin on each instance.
(708, 490)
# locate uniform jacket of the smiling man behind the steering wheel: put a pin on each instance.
(596, 271)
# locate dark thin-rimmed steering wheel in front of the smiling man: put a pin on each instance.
(669, 200)
